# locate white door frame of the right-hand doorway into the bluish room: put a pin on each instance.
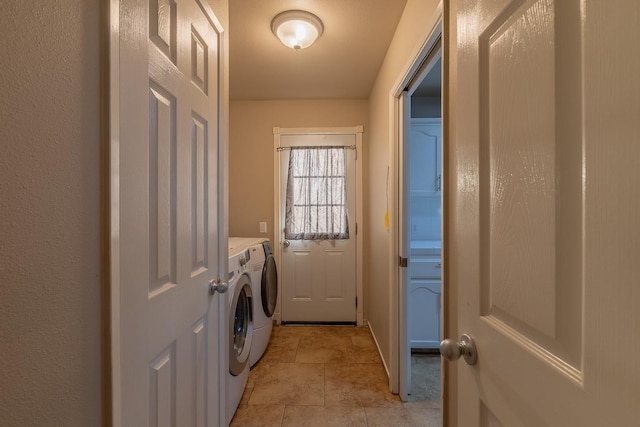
(436, 29)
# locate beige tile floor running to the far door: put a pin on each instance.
(332, 376)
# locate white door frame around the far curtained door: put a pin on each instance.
(357, 131)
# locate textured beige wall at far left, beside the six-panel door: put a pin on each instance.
(50, 214)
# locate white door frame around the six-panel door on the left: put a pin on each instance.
(110, 211)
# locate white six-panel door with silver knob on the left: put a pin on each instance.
(167, 215)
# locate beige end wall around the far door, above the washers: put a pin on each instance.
(251, 151)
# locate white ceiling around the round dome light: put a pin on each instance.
(343, 63)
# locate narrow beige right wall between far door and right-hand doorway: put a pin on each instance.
(407, 41)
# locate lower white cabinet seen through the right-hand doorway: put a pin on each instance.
(424, 301)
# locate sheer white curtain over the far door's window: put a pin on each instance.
(316, 206)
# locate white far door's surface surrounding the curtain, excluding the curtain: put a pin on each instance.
(318, 277)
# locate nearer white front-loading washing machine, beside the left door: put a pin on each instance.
(240, 298)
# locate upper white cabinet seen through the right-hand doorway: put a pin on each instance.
(425, 162)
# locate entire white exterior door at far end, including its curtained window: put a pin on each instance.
(318, 228)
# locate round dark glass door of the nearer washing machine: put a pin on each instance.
(241, 323)
